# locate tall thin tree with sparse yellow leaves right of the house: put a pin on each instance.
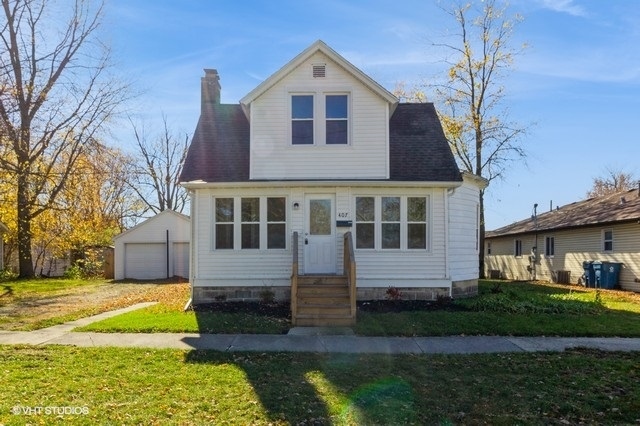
(483, 139)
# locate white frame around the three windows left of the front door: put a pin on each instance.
(237, 223)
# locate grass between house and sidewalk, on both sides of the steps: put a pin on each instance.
(502, 308)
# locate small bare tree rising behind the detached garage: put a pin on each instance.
(157, 167)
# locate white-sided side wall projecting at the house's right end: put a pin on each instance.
(463, 232)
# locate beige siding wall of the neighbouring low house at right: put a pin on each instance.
(572, 247)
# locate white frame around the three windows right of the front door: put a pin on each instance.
(377, 246)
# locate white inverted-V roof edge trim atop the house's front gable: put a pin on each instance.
(319, 46)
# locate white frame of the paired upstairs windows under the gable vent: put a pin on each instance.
(319, 116)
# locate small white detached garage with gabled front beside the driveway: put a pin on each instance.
(154, 249)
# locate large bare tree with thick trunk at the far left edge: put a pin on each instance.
(55, 95)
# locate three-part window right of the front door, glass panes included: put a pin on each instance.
(392, 222)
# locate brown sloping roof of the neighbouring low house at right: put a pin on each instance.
(620, 207)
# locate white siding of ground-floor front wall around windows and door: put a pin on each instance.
(375, 268)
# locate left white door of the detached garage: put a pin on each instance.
(146, 261)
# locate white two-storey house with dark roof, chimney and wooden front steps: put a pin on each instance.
(319, 175)
